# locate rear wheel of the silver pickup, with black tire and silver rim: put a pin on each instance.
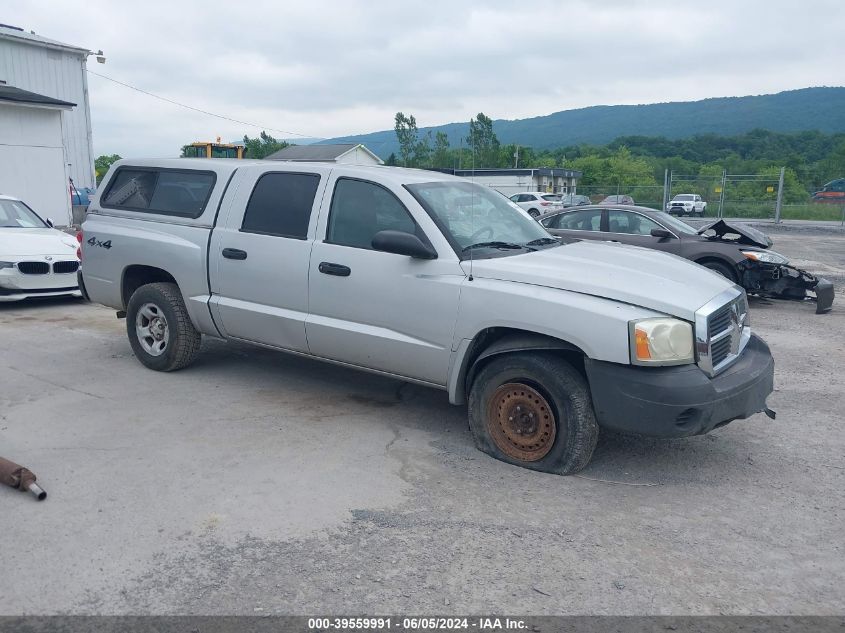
(182, 340)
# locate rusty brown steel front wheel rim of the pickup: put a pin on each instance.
(521, 422)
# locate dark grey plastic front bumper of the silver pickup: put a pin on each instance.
(680, 401)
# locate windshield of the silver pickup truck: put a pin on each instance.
(473, 216)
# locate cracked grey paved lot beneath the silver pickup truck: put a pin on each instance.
(258, 483)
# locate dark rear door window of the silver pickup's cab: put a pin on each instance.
(281, 205)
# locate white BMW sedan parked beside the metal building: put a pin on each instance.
(36, 260)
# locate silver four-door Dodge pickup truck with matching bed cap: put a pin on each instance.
(427, 278)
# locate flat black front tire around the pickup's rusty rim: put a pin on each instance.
(560, 386)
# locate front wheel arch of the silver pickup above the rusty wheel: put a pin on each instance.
(495, 341)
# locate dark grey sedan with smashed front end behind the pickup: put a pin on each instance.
(738, 252)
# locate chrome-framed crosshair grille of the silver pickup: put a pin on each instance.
(722, 331)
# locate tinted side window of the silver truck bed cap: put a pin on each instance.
(177, 192)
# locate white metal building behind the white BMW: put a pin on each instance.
(41, 135)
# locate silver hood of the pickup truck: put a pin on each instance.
(638, 276)
